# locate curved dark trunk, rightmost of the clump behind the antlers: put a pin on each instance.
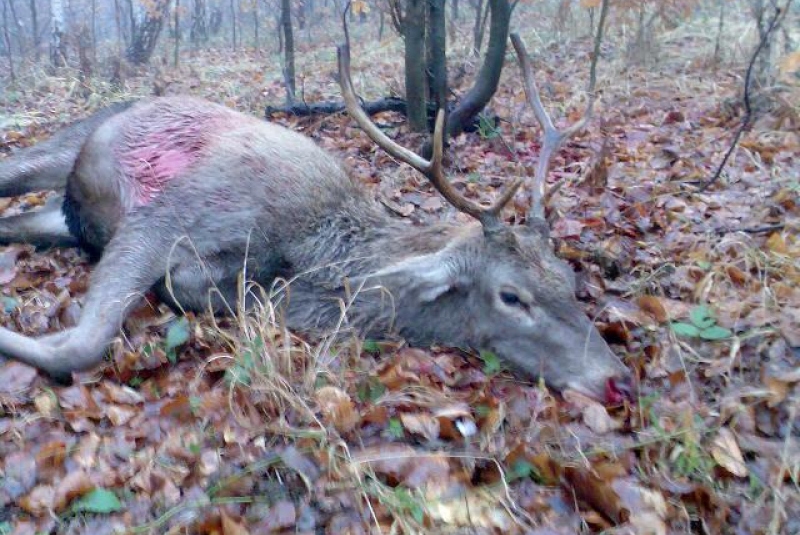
(489, 76)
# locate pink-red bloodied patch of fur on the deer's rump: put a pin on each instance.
(160, 146)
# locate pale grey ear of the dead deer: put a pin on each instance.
(428, 276)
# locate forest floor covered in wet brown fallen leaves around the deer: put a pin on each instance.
(231, 425)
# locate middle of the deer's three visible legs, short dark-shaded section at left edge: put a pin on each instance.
(44, 227)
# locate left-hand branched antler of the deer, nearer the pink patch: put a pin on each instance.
(489, 216)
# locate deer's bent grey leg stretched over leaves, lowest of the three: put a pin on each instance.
(135, 259)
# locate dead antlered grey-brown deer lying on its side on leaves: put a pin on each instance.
(182, 196)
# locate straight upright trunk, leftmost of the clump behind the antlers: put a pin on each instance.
(416, 87)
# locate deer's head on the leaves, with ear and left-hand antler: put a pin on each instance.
(515, 297)
